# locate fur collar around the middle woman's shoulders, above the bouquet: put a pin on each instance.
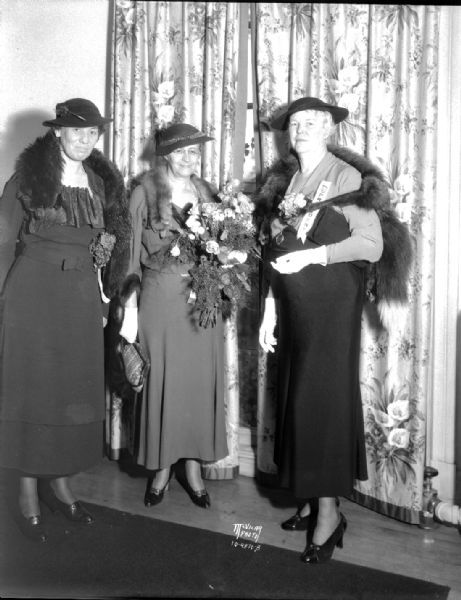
(158, 193)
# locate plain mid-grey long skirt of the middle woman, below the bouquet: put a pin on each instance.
(182, 413)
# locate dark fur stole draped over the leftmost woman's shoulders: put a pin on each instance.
(39, 170)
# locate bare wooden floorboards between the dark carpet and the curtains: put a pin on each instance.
(371, 540)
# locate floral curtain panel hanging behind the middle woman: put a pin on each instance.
(177, 62)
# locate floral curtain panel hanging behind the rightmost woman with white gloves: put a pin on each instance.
(380, 62)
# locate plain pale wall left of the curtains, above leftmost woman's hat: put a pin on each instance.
(51, 50)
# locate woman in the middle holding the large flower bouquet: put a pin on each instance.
(182, 411)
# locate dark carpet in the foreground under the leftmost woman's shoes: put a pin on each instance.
(128, 556)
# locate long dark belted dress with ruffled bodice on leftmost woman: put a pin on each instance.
(51, 344)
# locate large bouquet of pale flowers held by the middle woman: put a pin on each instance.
(220, 239)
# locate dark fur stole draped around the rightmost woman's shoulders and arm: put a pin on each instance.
(387, 280)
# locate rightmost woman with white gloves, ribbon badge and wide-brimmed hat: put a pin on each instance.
(315, 298)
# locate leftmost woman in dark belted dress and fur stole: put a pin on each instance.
(64, 193)
